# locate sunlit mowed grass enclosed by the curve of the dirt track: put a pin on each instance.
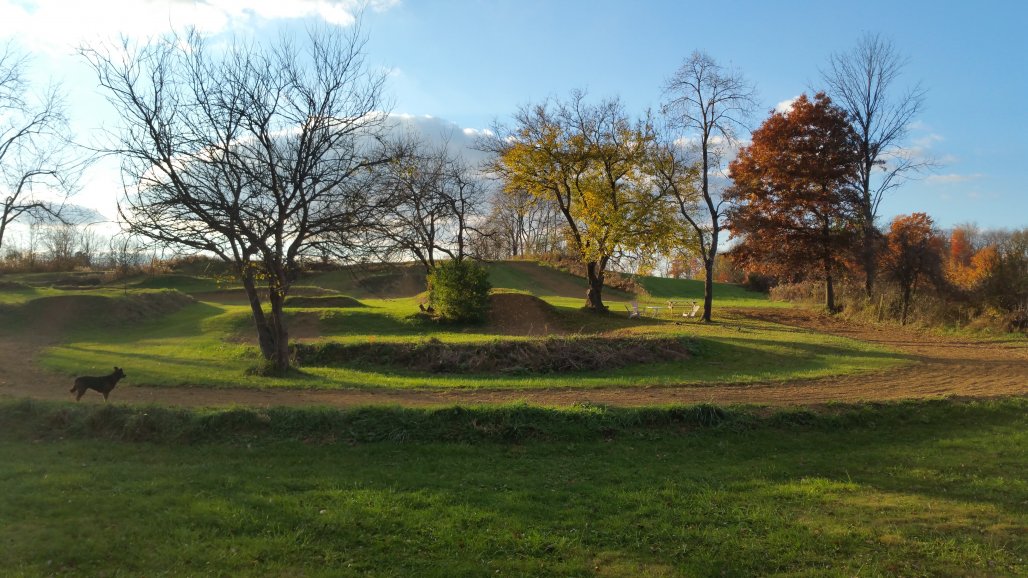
(212, 345)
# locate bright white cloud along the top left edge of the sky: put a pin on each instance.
(59, 26)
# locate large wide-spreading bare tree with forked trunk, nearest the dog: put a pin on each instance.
(253, 153)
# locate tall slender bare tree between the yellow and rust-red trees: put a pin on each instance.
(710, 103)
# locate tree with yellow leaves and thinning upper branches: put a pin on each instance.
(589, 160)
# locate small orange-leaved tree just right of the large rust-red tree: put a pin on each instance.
(914, 252)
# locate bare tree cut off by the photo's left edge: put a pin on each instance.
(38, 166)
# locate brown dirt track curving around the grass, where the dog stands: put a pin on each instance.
(943, 367)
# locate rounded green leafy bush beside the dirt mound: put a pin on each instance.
(460, 291)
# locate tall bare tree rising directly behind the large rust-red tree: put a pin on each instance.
(863, 83)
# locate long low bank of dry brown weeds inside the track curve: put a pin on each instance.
(554, 355)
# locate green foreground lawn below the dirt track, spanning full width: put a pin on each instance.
(917, 489)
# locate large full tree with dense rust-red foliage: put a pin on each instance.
(793, 204)
